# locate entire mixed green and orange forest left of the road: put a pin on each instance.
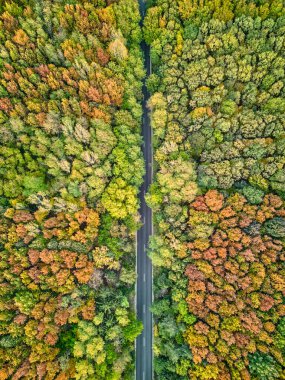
(70, 168)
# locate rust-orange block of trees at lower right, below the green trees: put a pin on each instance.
(236, 282)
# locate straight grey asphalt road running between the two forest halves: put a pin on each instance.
(144, 365)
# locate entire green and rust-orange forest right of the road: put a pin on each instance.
(217, 110)
